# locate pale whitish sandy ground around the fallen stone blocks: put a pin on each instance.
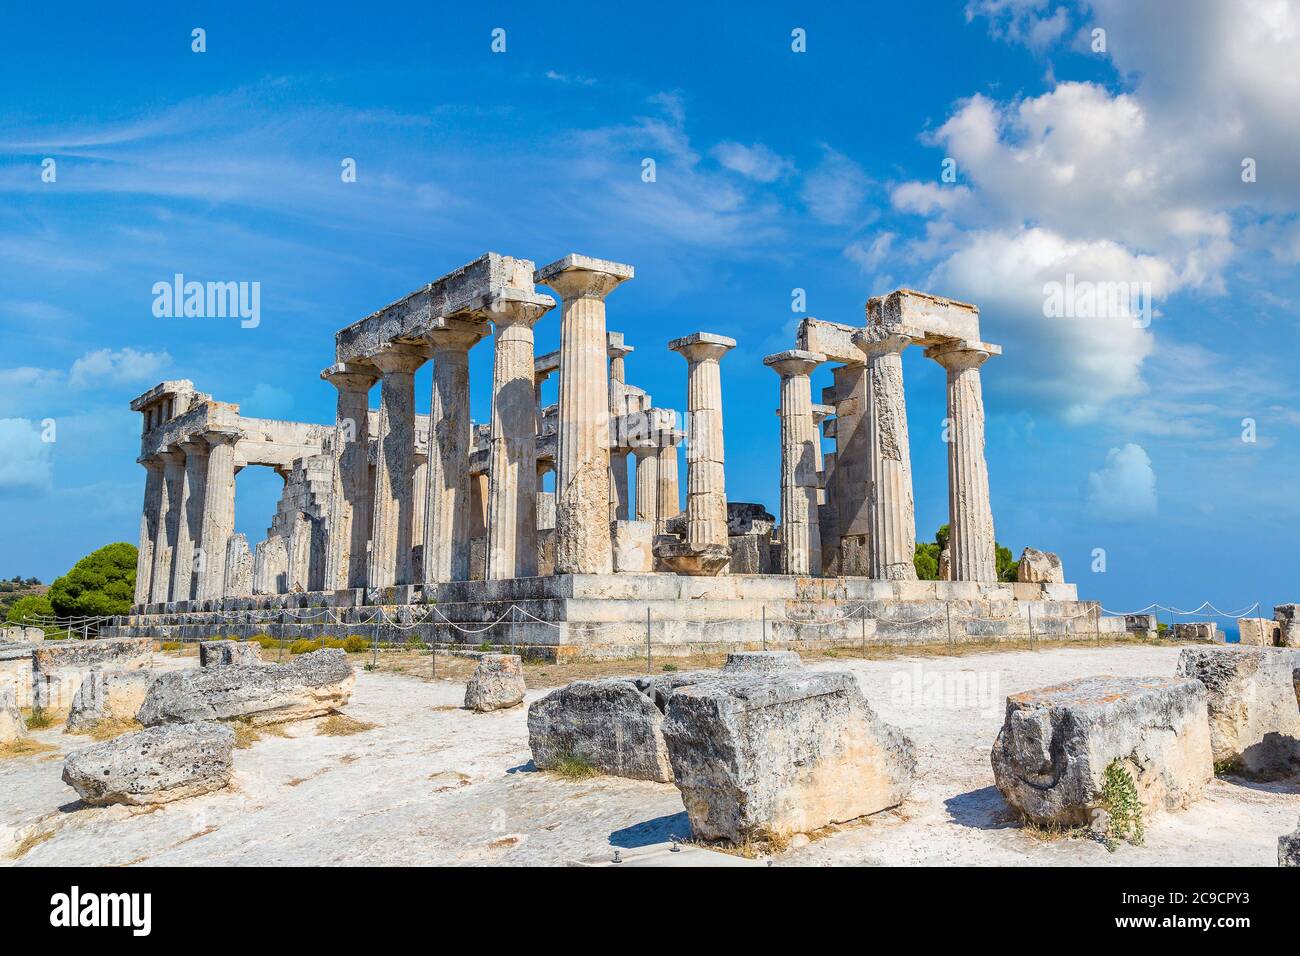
(434, 784)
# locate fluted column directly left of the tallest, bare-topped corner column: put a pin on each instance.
(513, 462)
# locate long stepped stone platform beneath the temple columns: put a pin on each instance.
(614, 616)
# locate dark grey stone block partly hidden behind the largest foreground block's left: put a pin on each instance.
(614, 725)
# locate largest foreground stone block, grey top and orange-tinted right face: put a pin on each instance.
(772, 755)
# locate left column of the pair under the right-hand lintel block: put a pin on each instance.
(890, 500)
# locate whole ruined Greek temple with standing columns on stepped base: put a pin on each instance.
(391, 509)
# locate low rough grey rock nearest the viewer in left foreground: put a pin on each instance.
(154, 767)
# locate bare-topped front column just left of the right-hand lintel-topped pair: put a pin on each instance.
(801, 534)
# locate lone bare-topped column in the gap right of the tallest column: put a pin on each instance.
(707, 478)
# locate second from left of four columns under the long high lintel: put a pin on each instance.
(393, 512)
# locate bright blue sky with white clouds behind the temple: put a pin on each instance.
(775, 171)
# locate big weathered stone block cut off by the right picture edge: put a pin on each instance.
(1255, 723)
